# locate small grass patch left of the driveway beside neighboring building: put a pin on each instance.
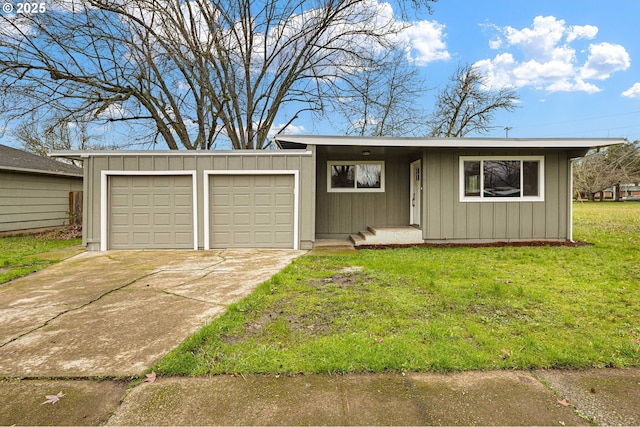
(18, 255)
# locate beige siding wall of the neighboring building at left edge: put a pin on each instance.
(30, 200)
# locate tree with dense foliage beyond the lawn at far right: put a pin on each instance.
(607, 168)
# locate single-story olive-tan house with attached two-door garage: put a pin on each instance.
(439, 190)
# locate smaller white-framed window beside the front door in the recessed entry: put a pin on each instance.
(352, 176)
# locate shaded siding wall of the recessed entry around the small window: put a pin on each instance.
(340, 214)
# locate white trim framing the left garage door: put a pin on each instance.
(104, 177)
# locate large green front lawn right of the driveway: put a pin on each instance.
(439, 309)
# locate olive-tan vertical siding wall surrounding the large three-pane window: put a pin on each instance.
(446, 218)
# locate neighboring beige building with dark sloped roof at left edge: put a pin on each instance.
(36, 191)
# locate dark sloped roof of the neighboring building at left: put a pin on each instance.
(21, 161)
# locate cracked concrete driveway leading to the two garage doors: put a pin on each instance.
(116, 313)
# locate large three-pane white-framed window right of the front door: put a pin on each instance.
(501, 179)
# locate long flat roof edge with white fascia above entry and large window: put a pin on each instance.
(296, 141)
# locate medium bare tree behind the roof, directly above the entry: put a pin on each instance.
(381, 100)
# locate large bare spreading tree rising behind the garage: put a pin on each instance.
(187, 72)
